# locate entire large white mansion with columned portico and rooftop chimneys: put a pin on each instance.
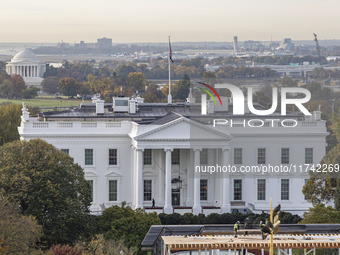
(130, 159)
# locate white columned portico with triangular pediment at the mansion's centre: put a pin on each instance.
(176, 186)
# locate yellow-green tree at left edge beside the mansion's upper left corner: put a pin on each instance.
(9, 122)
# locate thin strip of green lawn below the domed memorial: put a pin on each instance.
(45, 102)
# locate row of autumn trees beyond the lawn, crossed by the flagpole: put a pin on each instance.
(115, 86)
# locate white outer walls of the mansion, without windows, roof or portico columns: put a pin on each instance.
(100, 136)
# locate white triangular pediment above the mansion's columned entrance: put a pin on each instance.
(182, 129)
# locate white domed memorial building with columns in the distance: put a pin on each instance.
(28, 66)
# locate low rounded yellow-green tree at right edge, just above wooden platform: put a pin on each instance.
(321, 214)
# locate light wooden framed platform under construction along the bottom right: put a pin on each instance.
(284, 244)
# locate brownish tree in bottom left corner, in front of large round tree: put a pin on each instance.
(18, 233)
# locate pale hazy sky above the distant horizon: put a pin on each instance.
(128, 21)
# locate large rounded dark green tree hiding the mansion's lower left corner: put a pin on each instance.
(48, 185)
